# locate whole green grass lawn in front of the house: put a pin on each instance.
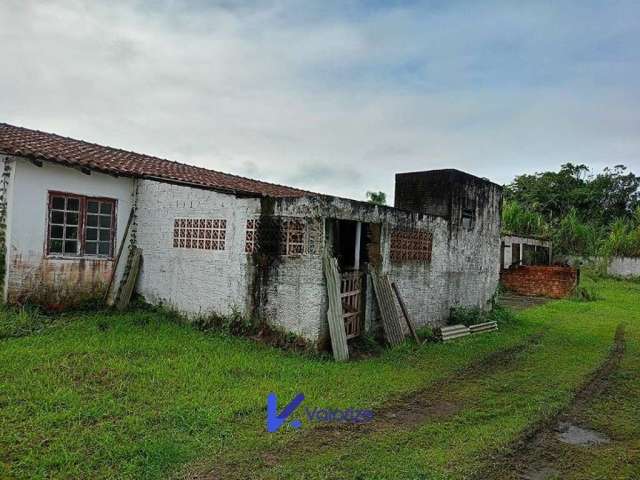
(139, 396)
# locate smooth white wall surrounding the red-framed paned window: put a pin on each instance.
(27, 218)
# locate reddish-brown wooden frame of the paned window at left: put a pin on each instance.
(82, 226)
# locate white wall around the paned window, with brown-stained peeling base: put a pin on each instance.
(56, 282)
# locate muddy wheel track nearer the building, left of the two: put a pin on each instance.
(436, 401)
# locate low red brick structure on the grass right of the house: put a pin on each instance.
(540, 281)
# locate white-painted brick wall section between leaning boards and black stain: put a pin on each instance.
(193, 281)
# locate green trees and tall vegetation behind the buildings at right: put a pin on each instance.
(581, 212)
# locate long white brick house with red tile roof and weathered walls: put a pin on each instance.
(215, 243)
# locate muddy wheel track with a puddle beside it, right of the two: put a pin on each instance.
(536, 454)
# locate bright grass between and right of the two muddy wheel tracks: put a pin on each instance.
(501, 405)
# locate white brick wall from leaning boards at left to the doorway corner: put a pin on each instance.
(201, 282)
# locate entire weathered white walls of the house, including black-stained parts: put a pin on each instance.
(287, 291)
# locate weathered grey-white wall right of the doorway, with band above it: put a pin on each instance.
(463, 271)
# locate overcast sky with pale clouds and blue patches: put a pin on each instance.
(332, 96)
